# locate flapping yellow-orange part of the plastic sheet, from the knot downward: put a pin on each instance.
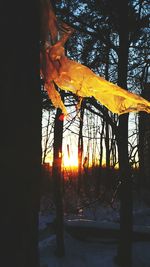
(80, 80)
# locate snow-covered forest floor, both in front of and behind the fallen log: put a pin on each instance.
(93, 251)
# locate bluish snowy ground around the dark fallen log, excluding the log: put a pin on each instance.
(92, 253)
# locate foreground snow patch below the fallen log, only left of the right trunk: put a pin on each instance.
(79, 254)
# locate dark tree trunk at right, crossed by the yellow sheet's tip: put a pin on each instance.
(125, 243)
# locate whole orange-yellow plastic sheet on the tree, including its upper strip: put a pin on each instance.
(72, 76)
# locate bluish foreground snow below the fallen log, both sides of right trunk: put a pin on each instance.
(90, 254)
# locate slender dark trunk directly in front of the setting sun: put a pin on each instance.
(58, 183)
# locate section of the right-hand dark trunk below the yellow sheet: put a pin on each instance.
(125, 243)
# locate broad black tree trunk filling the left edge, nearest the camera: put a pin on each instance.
(20, 135)
